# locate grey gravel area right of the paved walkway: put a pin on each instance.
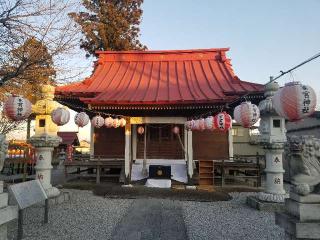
(229, 220)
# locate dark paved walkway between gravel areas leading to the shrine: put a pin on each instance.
(154, 219)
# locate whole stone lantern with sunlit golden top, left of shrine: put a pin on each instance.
(45, 138)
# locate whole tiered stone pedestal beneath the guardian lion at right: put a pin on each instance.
(301, 219)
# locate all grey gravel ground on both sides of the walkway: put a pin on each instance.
(89, 217)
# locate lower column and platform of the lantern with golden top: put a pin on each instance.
(44, 147)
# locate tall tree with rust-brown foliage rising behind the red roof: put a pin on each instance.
(110, 25)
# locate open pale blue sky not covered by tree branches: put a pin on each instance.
(264, 37)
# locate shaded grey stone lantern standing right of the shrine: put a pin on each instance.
(272, 138)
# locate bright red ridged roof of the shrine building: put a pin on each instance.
(160, 77)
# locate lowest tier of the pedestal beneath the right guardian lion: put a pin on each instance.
(298, 230)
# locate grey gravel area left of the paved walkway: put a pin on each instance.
(85, 217)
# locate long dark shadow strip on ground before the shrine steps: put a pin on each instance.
(116, 191)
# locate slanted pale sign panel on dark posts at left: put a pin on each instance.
(28, 193)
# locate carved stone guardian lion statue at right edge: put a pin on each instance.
(304, 156)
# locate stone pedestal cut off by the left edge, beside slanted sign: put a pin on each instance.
(7, 213)
